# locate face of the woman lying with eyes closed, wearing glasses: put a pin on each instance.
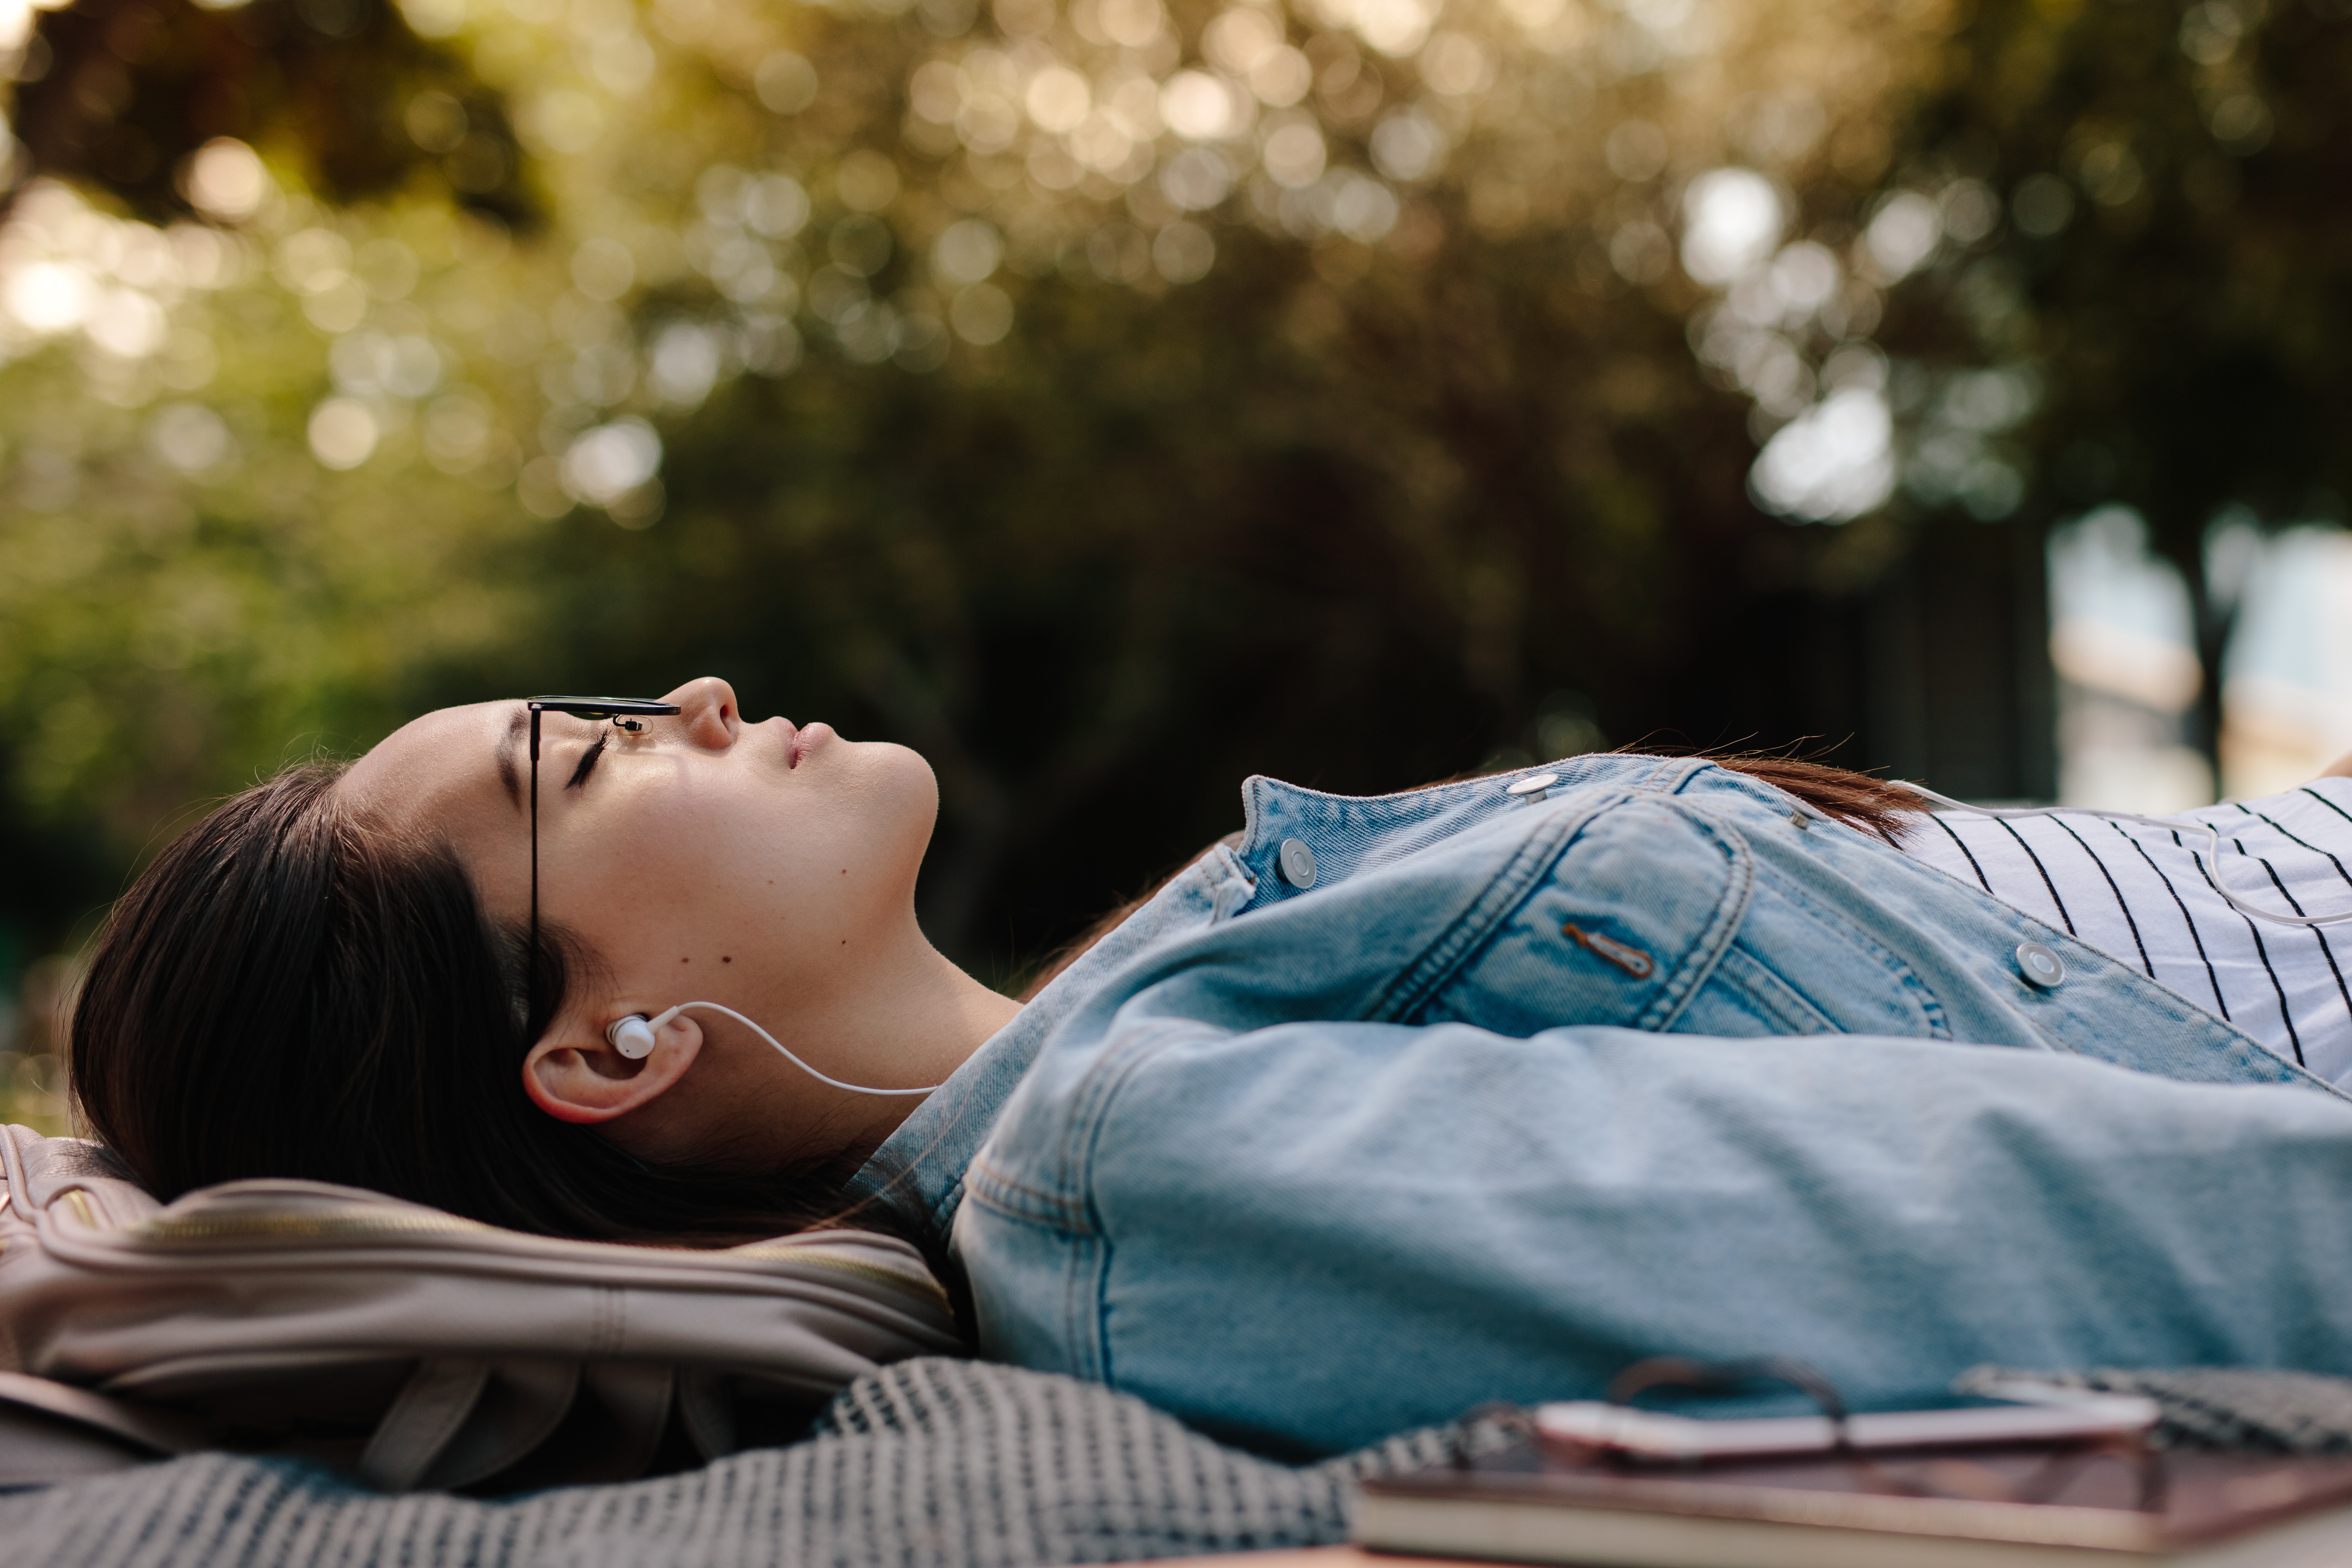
(702, 859)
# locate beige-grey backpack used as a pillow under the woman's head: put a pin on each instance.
(403, 1343)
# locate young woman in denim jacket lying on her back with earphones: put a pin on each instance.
(1377, 1111)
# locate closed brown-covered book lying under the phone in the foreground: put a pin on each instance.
(1993, 1501)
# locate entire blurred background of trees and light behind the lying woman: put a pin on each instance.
(1114, 398)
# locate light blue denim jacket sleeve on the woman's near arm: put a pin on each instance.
(1314, 1235)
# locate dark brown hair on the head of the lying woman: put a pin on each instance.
(290, 991)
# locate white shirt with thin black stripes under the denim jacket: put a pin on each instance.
(2141, 897)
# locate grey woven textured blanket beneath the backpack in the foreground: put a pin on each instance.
(923, 1466)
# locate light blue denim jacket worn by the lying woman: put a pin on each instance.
(1311, 1167)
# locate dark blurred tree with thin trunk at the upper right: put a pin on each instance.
(2134, 274)
